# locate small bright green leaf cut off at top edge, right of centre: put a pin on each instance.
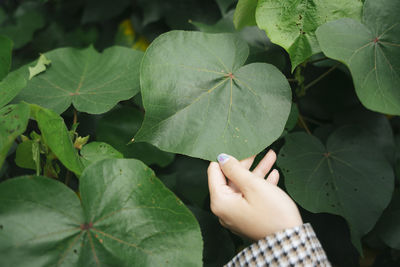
(245, 14)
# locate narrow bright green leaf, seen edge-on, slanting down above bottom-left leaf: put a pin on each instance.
(55, 135)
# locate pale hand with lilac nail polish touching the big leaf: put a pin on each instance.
(245, 202)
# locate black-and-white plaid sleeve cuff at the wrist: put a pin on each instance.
(298, 246)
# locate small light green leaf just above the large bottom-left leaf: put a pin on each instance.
(96, 151)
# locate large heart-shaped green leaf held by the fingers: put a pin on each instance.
(200, 100)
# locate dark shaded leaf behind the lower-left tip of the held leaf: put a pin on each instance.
(117, 128)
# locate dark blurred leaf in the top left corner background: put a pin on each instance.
(27, 22)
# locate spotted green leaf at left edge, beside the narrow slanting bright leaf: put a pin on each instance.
(13, 122)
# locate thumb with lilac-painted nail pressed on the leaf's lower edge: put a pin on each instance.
(236, 172)
